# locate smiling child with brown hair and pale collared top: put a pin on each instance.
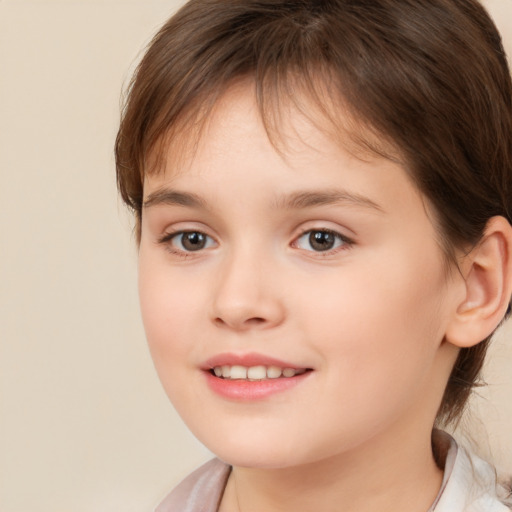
(323, 198)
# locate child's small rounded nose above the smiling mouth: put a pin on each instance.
(247, 296)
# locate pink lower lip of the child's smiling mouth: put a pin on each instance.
(246, 390)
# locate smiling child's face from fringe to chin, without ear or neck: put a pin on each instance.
(318, 260)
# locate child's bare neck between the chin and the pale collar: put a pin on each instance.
(380, 476)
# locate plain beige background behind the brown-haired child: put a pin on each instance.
(84, 425)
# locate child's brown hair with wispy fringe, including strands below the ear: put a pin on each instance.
(428, 75)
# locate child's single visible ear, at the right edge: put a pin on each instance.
(487, 274)
